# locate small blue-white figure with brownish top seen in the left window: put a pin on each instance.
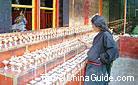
(20, 23)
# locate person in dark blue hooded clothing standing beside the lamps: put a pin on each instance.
(101, 55)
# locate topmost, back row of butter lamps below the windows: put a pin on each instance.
(30, 37)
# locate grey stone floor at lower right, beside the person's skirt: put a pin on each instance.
(125, 67)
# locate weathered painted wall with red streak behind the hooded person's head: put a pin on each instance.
(80, 11)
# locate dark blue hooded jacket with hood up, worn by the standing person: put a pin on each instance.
(104, 49)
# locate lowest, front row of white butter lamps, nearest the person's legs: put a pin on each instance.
(63, 73)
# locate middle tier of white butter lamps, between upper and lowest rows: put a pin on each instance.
(33, 59)
